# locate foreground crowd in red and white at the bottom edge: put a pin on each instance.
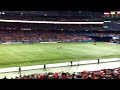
(99, 74)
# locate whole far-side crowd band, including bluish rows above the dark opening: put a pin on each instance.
(49, 36)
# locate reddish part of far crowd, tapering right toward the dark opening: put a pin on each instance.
(39, 36)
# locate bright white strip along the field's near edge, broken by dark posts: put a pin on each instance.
(13, 69)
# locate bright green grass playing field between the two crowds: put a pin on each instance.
(12, 55)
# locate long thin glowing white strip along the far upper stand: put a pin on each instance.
(49, 22)
